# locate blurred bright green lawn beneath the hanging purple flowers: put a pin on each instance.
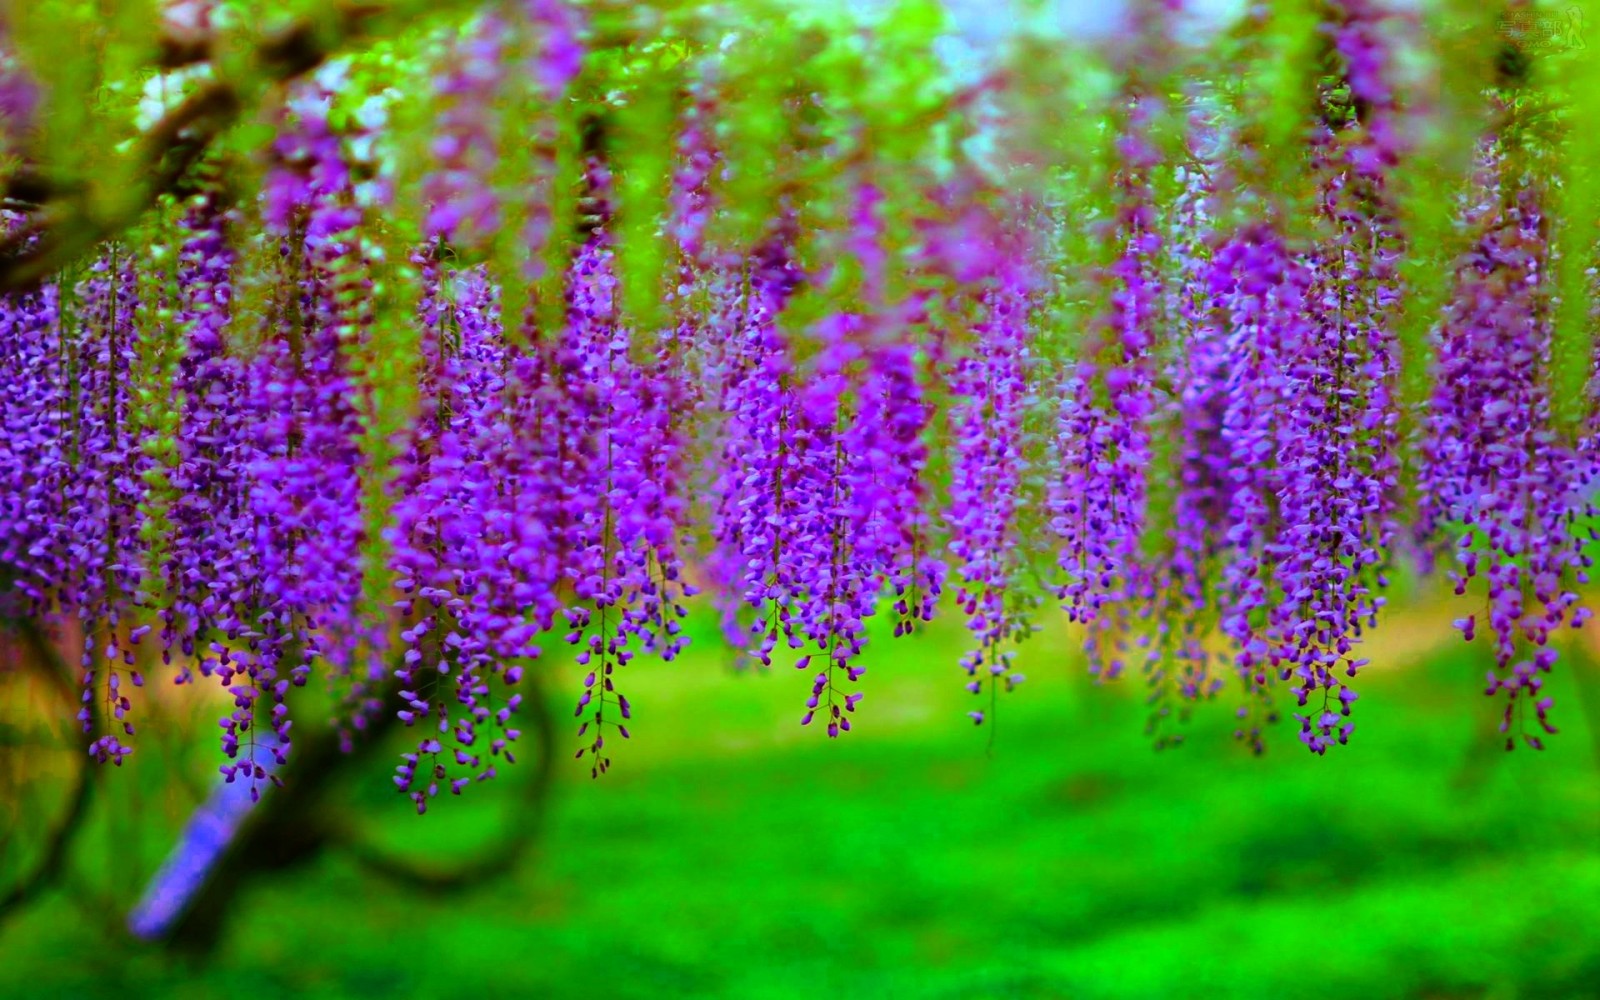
(732, 854)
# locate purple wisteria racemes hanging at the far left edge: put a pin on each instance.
(74, 471)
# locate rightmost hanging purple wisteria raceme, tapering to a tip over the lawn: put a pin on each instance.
(1497, 482)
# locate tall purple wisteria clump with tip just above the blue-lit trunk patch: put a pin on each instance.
(289, 537)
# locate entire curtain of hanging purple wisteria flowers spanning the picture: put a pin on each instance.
(290, 436)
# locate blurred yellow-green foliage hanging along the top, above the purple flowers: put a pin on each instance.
(810, 100)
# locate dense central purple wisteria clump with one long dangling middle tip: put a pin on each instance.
(825, 505)
